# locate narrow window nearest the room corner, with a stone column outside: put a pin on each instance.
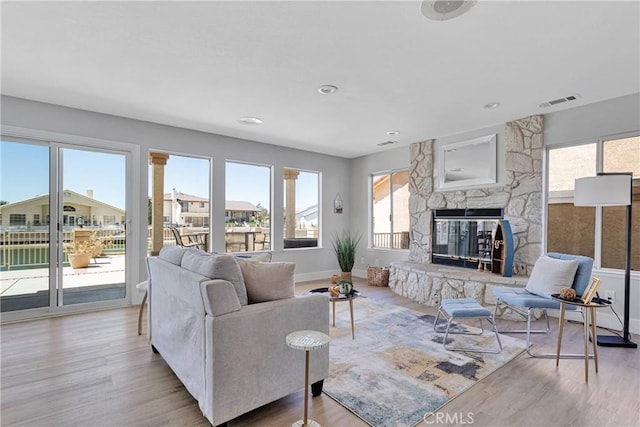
(301, 208)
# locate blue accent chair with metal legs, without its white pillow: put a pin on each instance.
(524, 302)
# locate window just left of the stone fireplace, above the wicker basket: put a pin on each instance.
(390, 199)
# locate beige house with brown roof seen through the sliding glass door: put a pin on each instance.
(78, 209)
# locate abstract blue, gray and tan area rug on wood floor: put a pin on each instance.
(396, 370)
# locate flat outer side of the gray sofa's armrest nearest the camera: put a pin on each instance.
(249, 363)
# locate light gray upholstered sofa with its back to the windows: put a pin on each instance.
(230, 355)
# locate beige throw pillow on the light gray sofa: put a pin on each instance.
(268, 281)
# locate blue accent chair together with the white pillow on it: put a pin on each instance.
(548, 277)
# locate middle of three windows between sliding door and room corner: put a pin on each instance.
(247, 207)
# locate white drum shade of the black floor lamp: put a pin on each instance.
(603, 190)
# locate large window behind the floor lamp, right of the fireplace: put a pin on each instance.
(576, 230)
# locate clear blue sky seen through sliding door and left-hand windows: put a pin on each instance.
(25, 174)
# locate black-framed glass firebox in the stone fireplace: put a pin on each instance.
(464, 237)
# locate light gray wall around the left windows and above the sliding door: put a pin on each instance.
(310, 263)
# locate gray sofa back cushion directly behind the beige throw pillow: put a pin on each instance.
(216, 266)
